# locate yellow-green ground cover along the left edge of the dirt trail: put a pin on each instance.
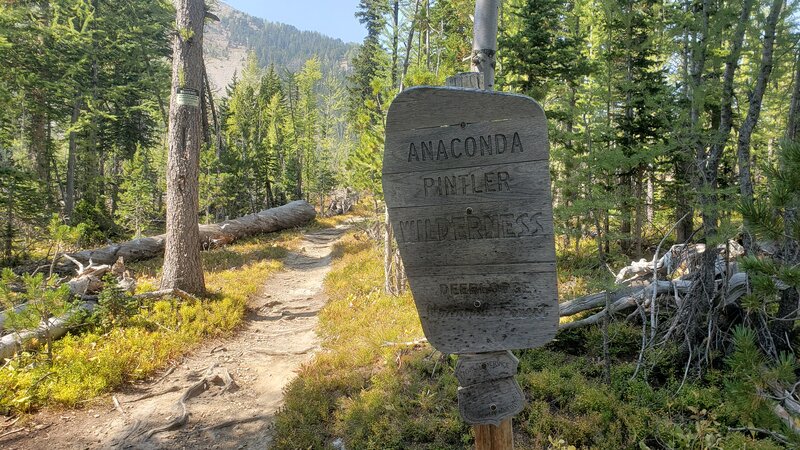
(92, 361)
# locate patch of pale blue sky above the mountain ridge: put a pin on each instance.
(334, 18)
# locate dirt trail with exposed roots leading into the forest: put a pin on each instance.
(277, 337)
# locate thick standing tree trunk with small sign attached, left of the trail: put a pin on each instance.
(182, 266)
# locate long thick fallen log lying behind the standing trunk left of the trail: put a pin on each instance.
(292, 215)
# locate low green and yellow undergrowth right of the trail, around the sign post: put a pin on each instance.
(378, 396)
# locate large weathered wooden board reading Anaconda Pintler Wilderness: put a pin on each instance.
(467, 183)
